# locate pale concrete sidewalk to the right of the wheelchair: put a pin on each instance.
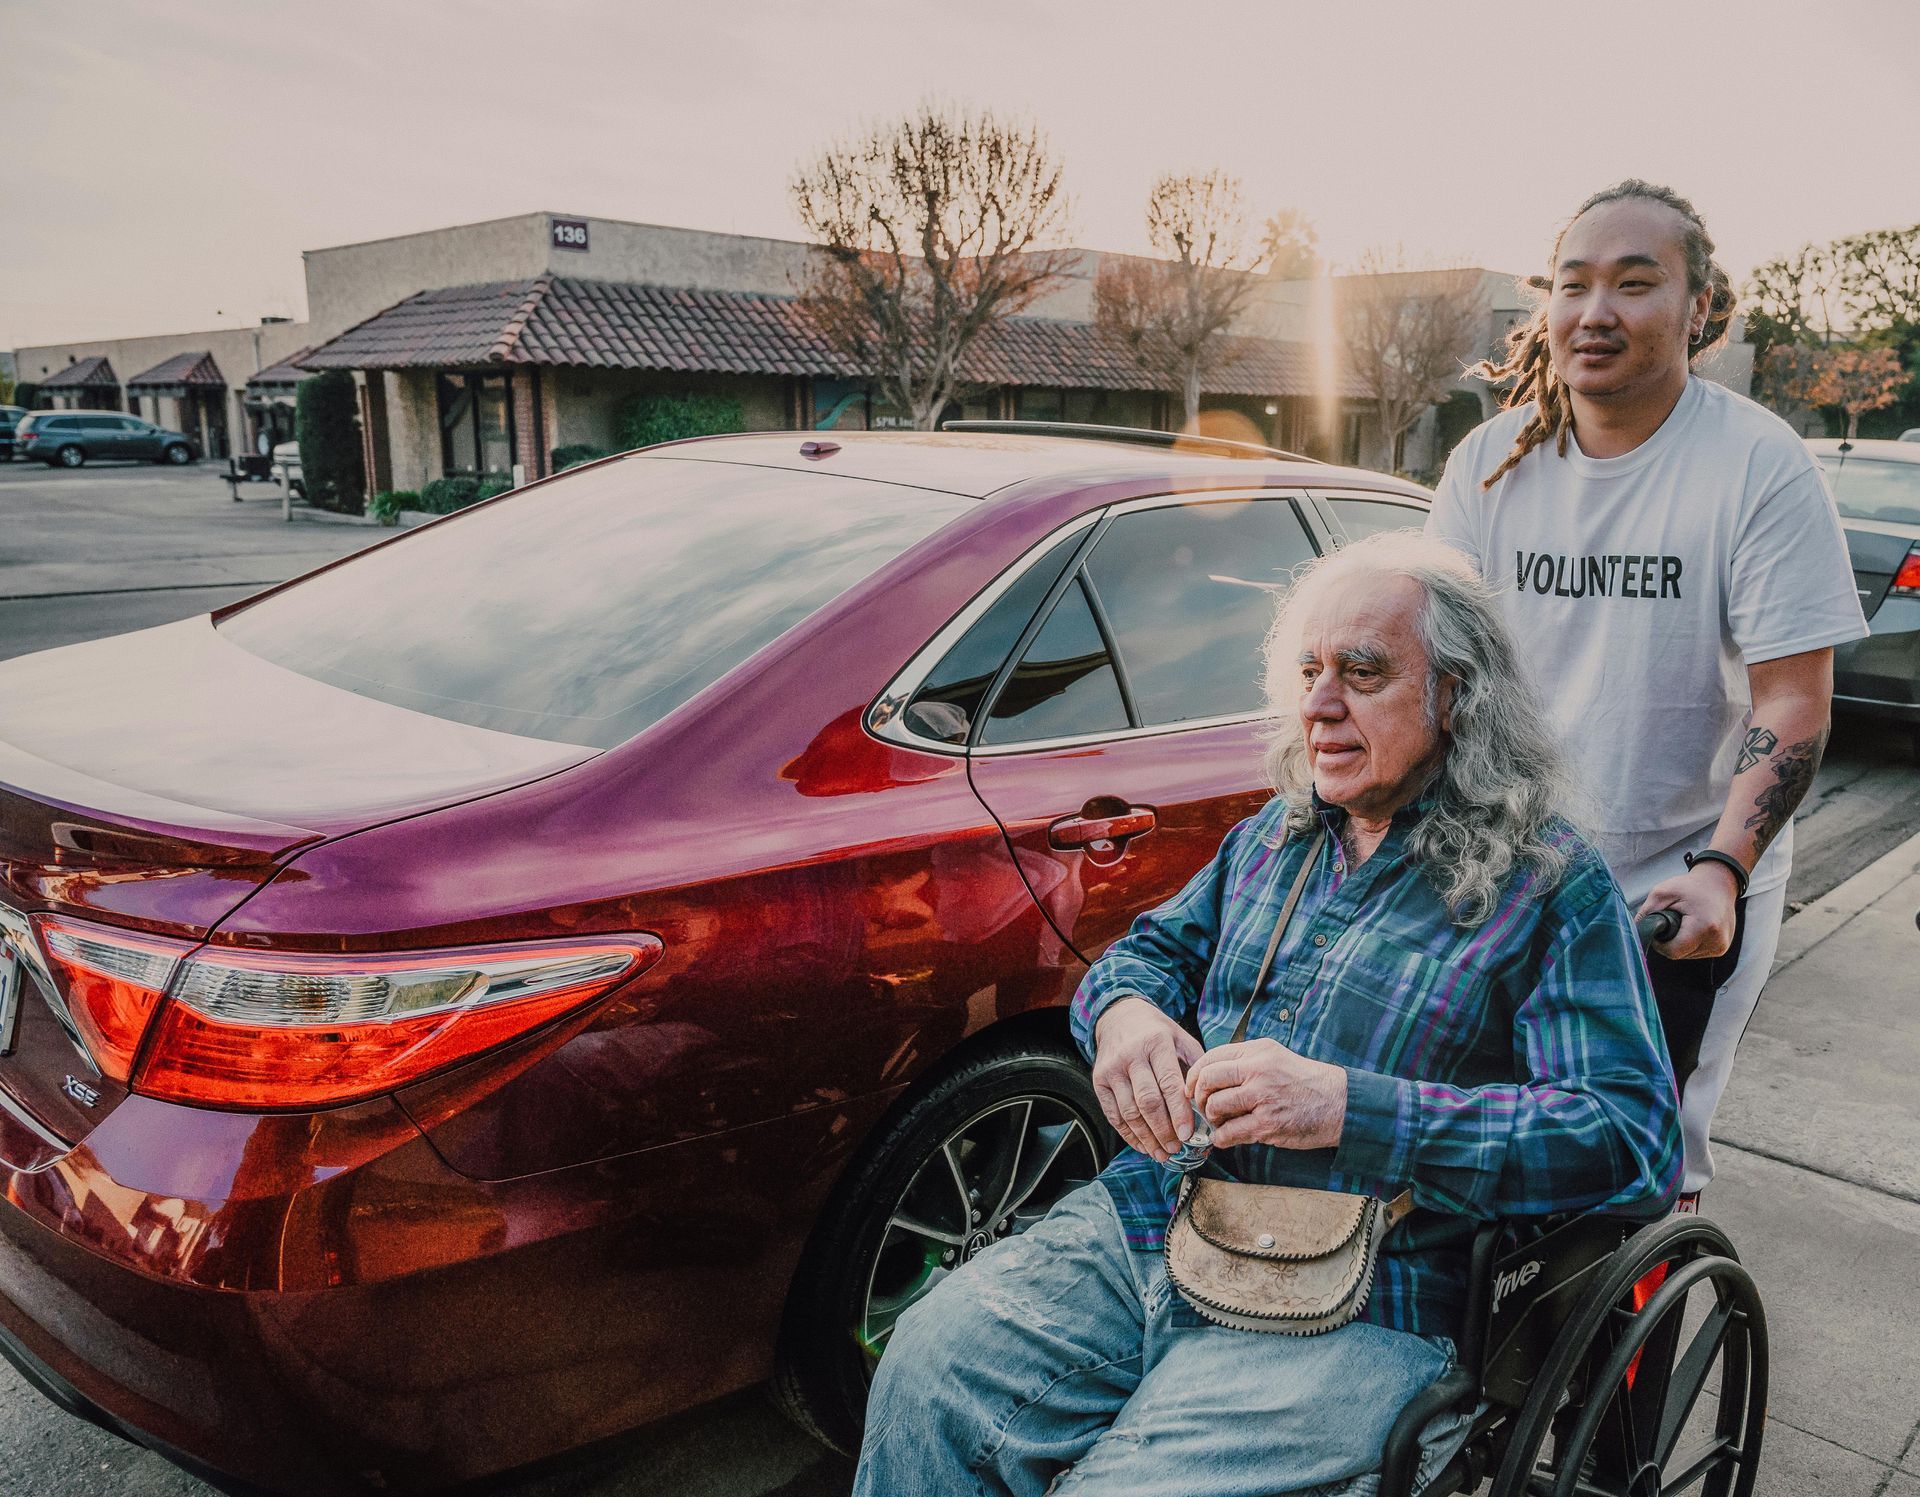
(1819, 1185)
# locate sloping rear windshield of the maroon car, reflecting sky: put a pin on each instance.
(587, 609)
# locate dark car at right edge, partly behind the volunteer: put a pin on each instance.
(1877, 487)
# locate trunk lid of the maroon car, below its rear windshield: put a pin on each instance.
(155, 782)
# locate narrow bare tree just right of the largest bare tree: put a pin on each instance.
(1174, 312)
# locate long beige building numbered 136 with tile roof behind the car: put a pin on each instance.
(485, 348)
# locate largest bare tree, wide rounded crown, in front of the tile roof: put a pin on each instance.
(928, 233)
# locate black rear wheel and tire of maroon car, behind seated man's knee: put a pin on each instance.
(861, 1270)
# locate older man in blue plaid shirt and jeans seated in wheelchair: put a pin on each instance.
(1406, 982)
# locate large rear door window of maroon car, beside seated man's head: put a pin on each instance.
(1189, 594)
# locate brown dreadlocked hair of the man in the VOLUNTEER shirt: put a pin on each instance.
(1529, 362)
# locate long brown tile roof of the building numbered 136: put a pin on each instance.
(617, 325)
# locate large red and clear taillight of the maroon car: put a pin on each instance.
(254, 1030)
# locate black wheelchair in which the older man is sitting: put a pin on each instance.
(1587, 1356)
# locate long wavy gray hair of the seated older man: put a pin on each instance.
(1500, 780)
